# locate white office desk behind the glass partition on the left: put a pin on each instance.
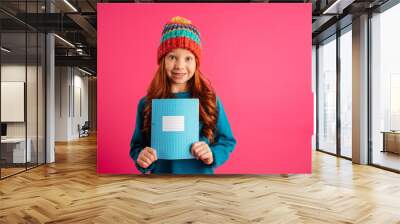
(13, 150)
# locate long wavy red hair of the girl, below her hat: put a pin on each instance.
(199, 87)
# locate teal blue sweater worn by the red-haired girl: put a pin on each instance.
(221, 148)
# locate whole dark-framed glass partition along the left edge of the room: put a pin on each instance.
(22, 88)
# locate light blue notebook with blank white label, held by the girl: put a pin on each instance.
(174, 127)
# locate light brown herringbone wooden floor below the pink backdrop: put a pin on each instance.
(70, 191)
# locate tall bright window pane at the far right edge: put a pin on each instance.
(385, 88)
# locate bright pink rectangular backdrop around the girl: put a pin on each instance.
(258, 58)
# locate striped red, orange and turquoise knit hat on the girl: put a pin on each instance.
(179, 33)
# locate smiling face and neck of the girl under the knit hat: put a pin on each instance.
(180, 65)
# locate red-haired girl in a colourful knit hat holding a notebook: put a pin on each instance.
(179, 76)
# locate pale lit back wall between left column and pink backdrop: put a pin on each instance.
(71, 102)
